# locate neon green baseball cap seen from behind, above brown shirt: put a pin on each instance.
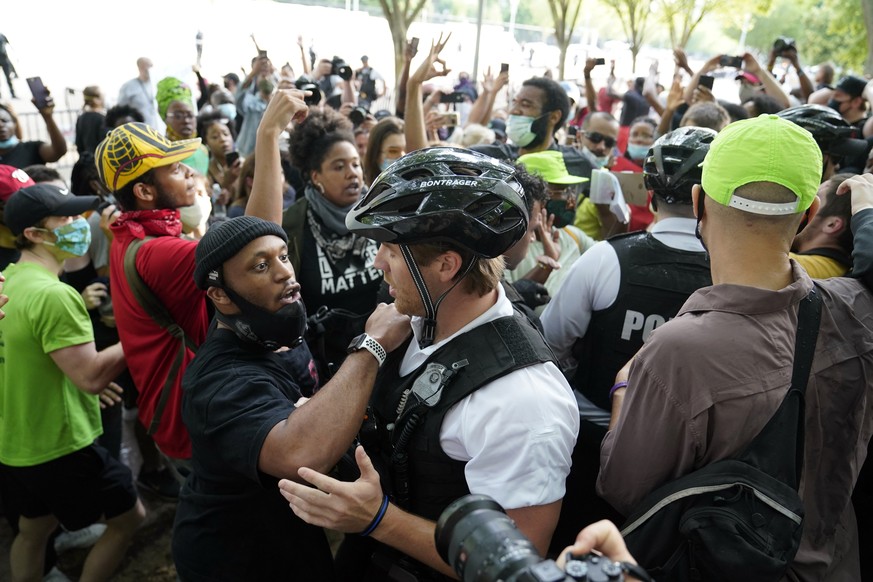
(763, 149)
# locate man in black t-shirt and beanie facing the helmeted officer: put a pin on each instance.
(248, 424)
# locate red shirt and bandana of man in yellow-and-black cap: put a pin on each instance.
(166, 266)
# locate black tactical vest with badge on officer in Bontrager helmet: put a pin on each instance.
(409, 411)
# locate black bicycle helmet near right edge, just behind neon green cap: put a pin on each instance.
(830, 131)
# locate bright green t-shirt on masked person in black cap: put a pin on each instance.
(43, 416)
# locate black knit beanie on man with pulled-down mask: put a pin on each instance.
(222, 241)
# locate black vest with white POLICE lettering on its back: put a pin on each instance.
(655, 282)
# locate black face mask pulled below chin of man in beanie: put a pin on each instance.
(283, 328)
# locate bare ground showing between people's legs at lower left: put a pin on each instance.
(149, 558)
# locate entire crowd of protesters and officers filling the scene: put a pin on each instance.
(229, 260)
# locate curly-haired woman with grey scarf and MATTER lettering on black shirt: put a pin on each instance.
(333, 266)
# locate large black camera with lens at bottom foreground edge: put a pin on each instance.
(481, 543)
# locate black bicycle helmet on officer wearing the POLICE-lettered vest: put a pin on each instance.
(672, 165)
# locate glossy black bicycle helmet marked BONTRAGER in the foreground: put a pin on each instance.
(444, 194)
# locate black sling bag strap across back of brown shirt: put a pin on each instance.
(784, 432)
